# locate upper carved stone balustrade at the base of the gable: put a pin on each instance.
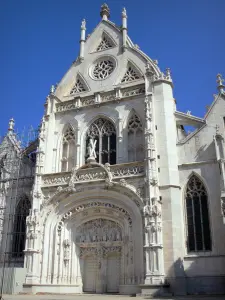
(98, 98)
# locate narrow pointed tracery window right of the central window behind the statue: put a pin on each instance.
(135, 139)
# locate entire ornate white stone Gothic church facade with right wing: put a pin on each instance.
(123, 199)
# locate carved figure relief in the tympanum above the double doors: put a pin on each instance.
(99, 230)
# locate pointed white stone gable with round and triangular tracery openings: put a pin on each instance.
(105, 64)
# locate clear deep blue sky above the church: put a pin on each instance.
(40, 40)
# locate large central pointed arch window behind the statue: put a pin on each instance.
(104, 132)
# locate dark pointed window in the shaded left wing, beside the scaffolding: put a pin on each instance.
(19, 227)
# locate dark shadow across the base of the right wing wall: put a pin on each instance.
(184, 281)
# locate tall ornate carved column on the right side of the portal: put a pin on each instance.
(154, 266)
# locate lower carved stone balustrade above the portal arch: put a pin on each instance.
(96, 173)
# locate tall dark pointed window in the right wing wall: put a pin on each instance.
(197, 216)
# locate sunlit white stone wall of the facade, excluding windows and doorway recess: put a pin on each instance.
(168, 166)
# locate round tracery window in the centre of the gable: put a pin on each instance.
(102, 69)
